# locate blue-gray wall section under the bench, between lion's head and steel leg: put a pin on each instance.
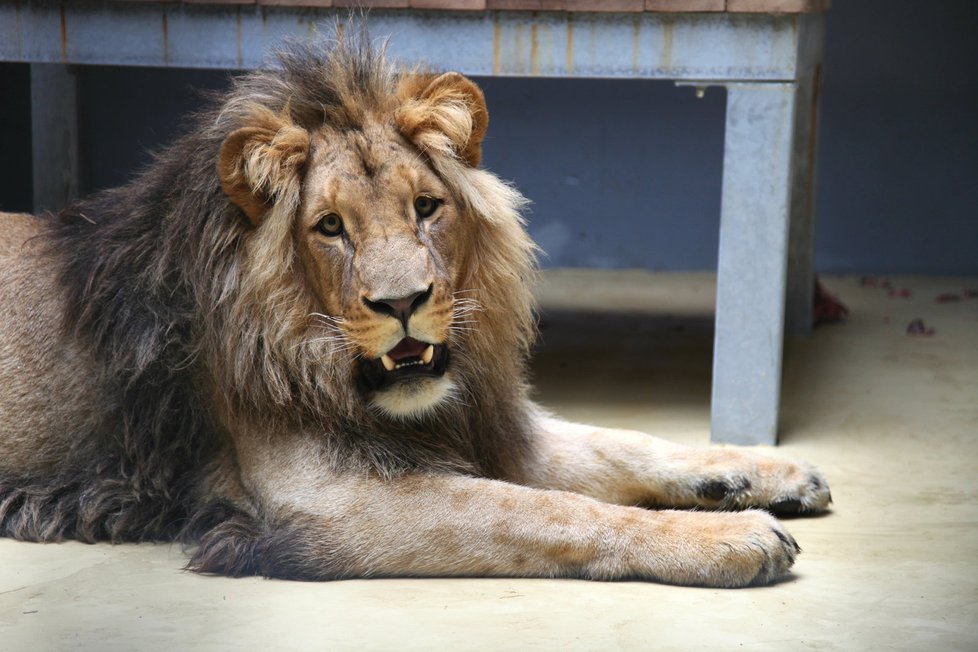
(621, 173)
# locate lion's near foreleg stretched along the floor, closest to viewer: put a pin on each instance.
(448, 525)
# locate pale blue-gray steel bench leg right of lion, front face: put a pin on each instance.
(751, 270)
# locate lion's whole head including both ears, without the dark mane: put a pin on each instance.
(378, 240)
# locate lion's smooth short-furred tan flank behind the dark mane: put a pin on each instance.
(47, 384)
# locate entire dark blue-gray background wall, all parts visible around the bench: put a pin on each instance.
(627, 174)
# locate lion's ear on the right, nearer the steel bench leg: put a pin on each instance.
(446, 114)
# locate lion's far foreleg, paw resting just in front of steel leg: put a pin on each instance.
(632, 468)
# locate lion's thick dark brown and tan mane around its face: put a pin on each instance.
(181, 308)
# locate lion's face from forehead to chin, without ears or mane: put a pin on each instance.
(378, 235)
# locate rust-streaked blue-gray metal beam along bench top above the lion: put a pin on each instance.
(549, 44)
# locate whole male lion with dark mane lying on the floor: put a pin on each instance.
(298, 342)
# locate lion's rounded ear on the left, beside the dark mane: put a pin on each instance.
(261, 160)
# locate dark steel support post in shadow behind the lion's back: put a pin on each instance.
(54, 135)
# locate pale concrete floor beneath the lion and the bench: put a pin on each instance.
(891, 419)
